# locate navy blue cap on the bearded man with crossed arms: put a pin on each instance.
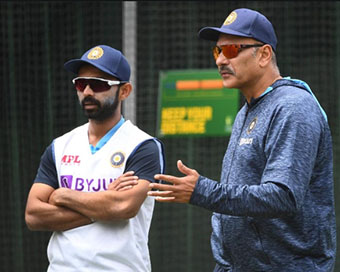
(106, 59)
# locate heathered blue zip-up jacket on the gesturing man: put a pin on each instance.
(274, 205)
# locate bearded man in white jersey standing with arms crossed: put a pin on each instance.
(80, 193)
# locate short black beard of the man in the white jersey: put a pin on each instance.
(103, 111)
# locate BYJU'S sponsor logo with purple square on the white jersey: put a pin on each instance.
(85, 184)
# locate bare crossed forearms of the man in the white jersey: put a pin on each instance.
(63, 209)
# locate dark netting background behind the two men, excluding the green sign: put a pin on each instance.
(39, 103)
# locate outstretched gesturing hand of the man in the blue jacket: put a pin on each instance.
(181, 189)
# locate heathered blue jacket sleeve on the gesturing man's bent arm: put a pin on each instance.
(291, 148)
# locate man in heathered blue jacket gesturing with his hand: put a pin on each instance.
(273, 209)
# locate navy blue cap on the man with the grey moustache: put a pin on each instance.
(245, 23)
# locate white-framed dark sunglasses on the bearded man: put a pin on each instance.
(96, 84)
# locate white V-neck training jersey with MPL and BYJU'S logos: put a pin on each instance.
(120, 245)
